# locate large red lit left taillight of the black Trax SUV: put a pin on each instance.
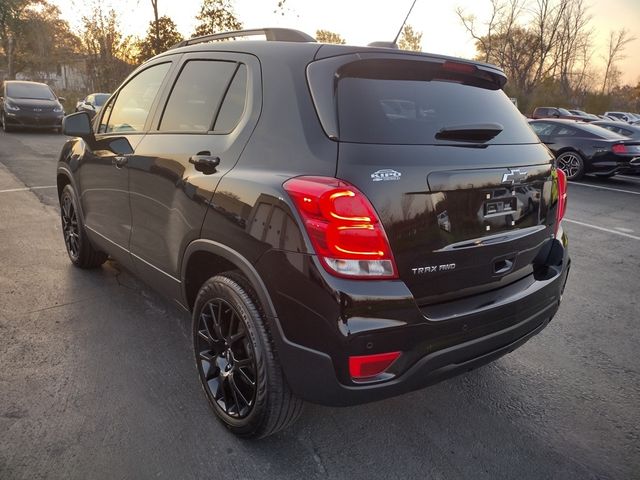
(345, 230)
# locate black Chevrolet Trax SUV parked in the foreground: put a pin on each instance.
(344, 223)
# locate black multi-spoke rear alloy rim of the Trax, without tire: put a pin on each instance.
(226, 359)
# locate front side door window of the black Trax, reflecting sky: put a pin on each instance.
(133, 103)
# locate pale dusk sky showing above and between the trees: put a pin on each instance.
(364, 21)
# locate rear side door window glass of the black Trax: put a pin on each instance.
(196, 96)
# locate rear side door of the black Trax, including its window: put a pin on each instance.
(197, 137)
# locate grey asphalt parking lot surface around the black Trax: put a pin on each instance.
(97, 378)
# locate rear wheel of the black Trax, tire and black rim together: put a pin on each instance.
(237, 363)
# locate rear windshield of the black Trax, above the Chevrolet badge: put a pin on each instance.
(409, 102)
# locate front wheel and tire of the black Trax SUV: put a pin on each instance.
(81, 253)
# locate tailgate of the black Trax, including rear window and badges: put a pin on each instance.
(461, 183)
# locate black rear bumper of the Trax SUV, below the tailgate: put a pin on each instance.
(314, 340)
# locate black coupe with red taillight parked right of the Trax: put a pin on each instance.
(586, 148)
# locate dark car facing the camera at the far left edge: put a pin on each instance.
(30, 105)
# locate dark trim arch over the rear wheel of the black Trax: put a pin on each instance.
(205, 258)
